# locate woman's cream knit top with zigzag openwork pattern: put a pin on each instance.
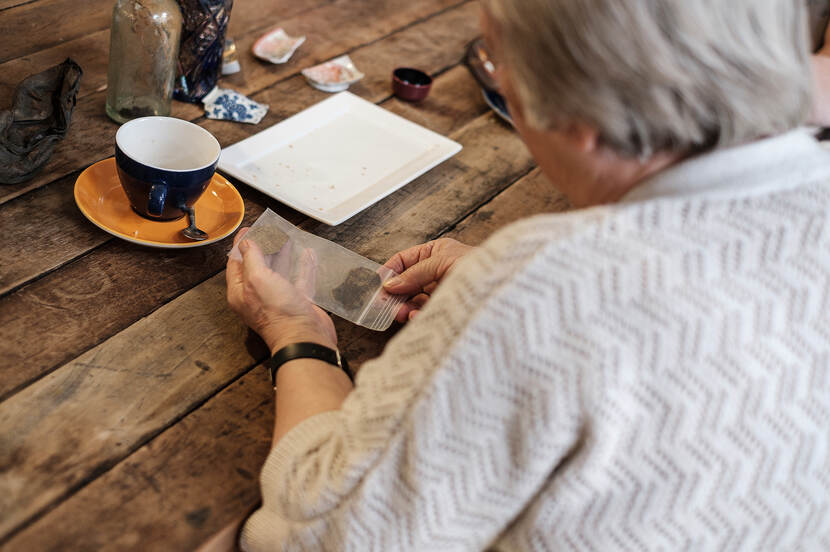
(651, 375)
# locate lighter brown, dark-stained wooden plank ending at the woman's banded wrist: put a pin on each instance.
(79, 420)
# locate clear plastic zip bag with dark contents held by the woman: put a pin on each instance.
(332, 277)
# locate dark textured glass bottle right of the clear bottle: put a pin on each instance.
(203, 39)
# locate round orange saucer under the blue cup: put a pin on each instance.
(101, 199)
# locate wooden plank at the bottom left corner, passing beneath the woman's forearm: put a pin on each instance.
(219, 448)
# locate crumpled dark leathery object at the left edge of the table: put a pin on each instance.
(38, 120)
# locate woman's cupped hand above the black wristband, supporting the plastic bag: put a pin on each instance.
(272, 306)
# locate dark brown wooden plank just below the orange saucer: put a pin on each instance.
(63, 314)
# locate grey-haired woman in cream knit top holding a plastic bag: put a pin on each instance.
(647, 372)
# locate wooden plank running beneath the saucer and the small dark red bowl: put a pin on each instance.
(440, 43)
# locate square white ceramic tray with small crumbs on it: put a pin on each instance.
(336, 158)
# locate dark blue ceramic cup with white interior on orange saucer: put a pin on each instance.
(164, 164)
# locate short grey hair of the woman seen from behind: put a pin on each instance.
(659, 75)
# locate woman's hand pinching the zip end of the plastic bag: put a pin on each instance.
(420, 269)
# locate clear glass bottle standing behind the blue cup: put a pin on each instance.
(144, 47)
